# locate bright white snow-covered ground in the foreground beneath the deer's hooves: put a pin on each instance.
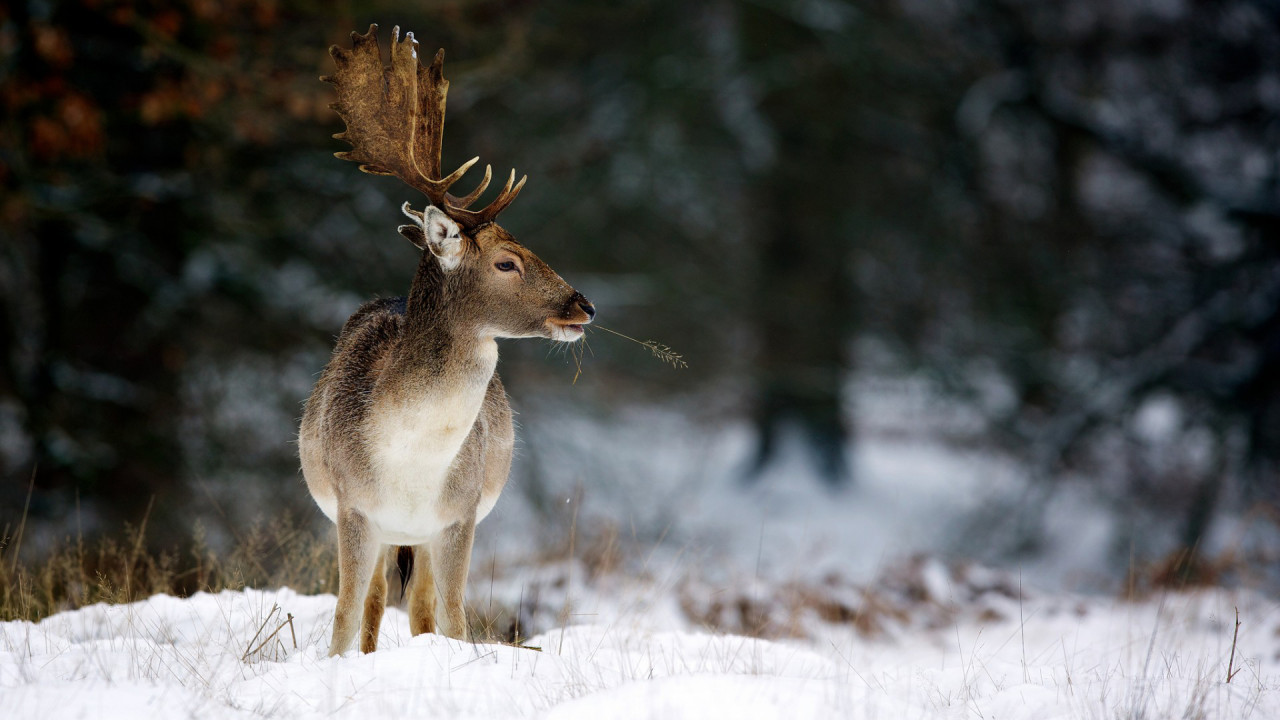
(1049, 657)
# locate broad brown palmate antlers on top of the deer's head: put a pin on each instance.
(396, 124)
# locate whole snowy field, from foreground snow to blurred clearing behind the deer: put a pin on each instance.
(867, 604)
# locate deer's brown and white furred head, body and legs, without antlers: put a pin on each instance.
(408, 436)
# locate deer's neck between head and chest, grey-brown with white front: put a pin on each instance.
(442, 340)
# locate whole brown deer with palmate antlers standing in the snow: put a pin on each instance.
(406, 440)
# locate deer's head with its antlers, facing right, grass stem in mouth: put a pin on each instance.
(396, 124)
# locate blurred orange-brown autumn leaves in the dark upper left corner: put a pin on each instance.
(202, 62)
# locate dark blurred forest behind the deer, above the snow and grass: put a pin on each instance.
(1060, 221)
